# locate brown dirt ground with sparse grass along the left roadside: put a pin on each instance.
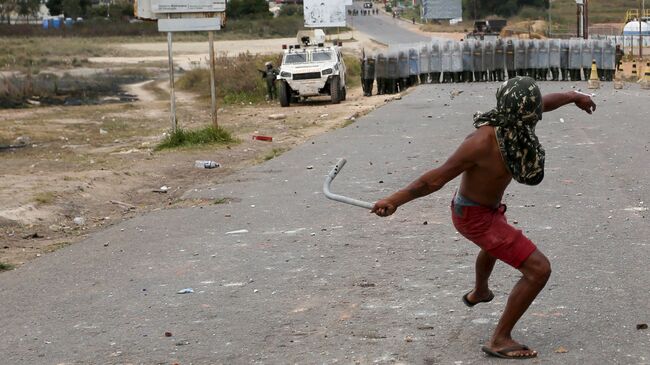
(87, 167)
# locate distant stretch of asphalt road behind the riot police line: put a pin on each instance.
(383, 28)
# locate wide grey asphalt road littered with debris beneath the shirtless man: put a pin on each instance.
(315, 281)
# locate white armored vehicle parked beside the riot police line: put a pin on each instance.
(311, 69)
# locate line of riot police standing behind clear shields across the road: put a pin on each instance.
(473, 60)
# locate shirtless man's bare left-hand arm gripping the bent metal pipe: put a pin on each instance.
(462, 159)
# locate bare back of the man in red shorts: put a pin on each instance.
(487, 180)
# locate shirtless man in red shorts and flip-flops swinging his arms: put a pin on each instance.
(503, 147)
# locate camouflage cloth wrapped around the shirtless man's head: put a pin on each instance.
(519, 108)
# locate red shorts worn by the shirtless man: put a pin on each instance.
(489, 229)
